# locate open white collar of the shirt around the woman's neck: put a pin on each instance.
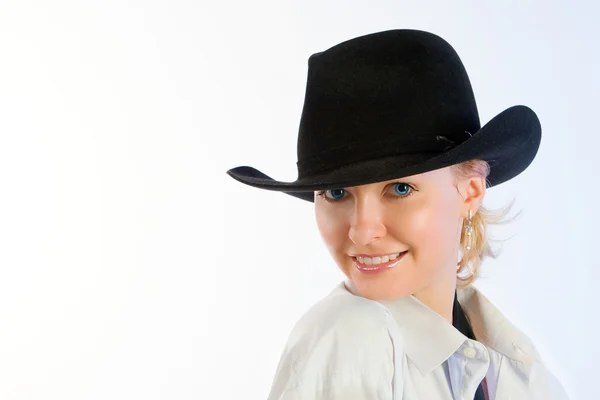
(430, 339)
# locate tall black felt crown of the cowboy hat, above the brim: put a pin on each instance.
(382, 94)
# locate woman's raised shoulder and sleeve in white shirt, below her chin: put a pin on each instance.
(341, 343)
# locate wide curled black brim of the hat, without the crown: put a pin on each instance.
(508, 142)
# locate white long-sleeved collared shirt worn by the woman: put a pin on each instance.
(351, 348)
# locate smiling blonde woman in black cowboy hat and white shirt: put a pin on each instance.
(392, 153)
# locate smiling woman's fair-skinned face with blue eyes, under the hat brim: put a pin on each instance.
(421, 214)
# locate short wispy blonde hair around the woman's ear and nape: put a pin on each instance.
(484, 217)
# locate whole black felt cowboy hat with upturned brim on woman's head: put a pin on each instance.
(392, 104)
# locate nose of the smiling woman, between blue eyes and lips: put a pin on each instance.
(367, 223)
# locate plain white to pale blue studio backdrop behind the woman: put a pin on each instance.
(133, 267)
